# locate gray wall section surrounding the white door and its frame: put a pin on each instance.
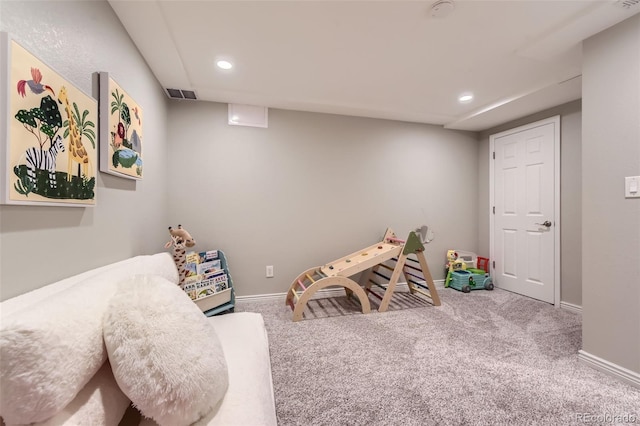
(570, 194)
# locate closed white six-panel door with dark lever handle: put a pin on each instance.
(525, 217)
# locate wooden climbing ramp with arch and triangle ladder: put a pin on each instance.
(390, 254)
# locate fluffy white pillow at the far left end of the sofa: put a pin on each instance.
(49, 351)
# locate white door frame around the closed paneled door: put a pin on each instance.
(556, 210)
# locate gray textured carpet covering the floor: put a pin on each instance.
(483, 358)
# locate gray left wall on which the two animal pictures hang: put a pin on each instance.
(39, 245)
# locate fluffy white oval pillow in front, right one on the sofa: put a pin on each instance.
(164, 354)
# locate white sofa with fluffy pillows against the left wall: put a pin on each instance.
(58, 364)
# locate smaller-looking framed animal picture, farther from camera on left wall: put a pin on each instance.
(120, 131)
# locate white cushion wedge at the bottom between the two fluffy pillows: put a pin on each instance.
(100, 402)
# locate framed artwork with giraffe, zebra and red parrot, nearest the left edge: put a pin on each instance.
(49, 133)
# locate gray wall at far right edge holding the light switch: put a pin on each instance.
(611, 223)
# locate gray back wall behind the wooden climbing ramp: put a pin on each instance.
(315, 187)
